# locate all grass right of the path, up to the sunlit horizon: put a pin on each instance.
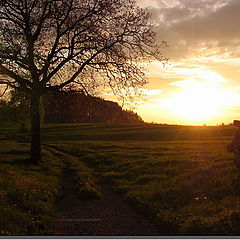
(185, 184)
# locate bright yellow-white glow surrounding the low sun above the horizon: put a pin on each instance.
(203, 97)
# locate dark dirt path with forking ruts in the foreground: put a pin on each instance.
(109, 216)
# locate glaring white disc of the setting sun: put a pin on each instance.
(200, 101)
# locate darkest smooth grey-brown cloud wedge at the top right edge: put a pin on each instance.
(222, 24)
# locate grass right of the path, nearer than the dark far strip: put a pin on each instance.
(185, 186)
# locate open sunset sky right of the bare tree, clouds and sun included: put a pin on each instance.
(200, 84)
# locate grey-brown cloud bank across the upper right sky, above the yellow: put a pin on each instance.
(189, 25)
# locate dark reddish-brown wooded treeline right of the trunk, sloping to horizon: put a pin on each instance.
(75, 107)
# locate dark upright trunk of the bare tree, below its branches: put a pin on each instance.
(35, 129)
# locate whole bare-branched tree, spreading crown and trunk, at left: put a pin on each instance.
(53, 44)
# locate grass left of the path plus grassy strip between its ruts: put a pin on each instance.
(28, 193)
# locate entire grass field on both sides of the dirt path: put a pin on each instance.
(180, 176)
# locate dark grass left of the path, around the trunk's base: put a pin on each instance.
(27, 192)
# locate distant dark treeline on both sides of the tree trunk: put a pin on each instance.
(64, 107)
